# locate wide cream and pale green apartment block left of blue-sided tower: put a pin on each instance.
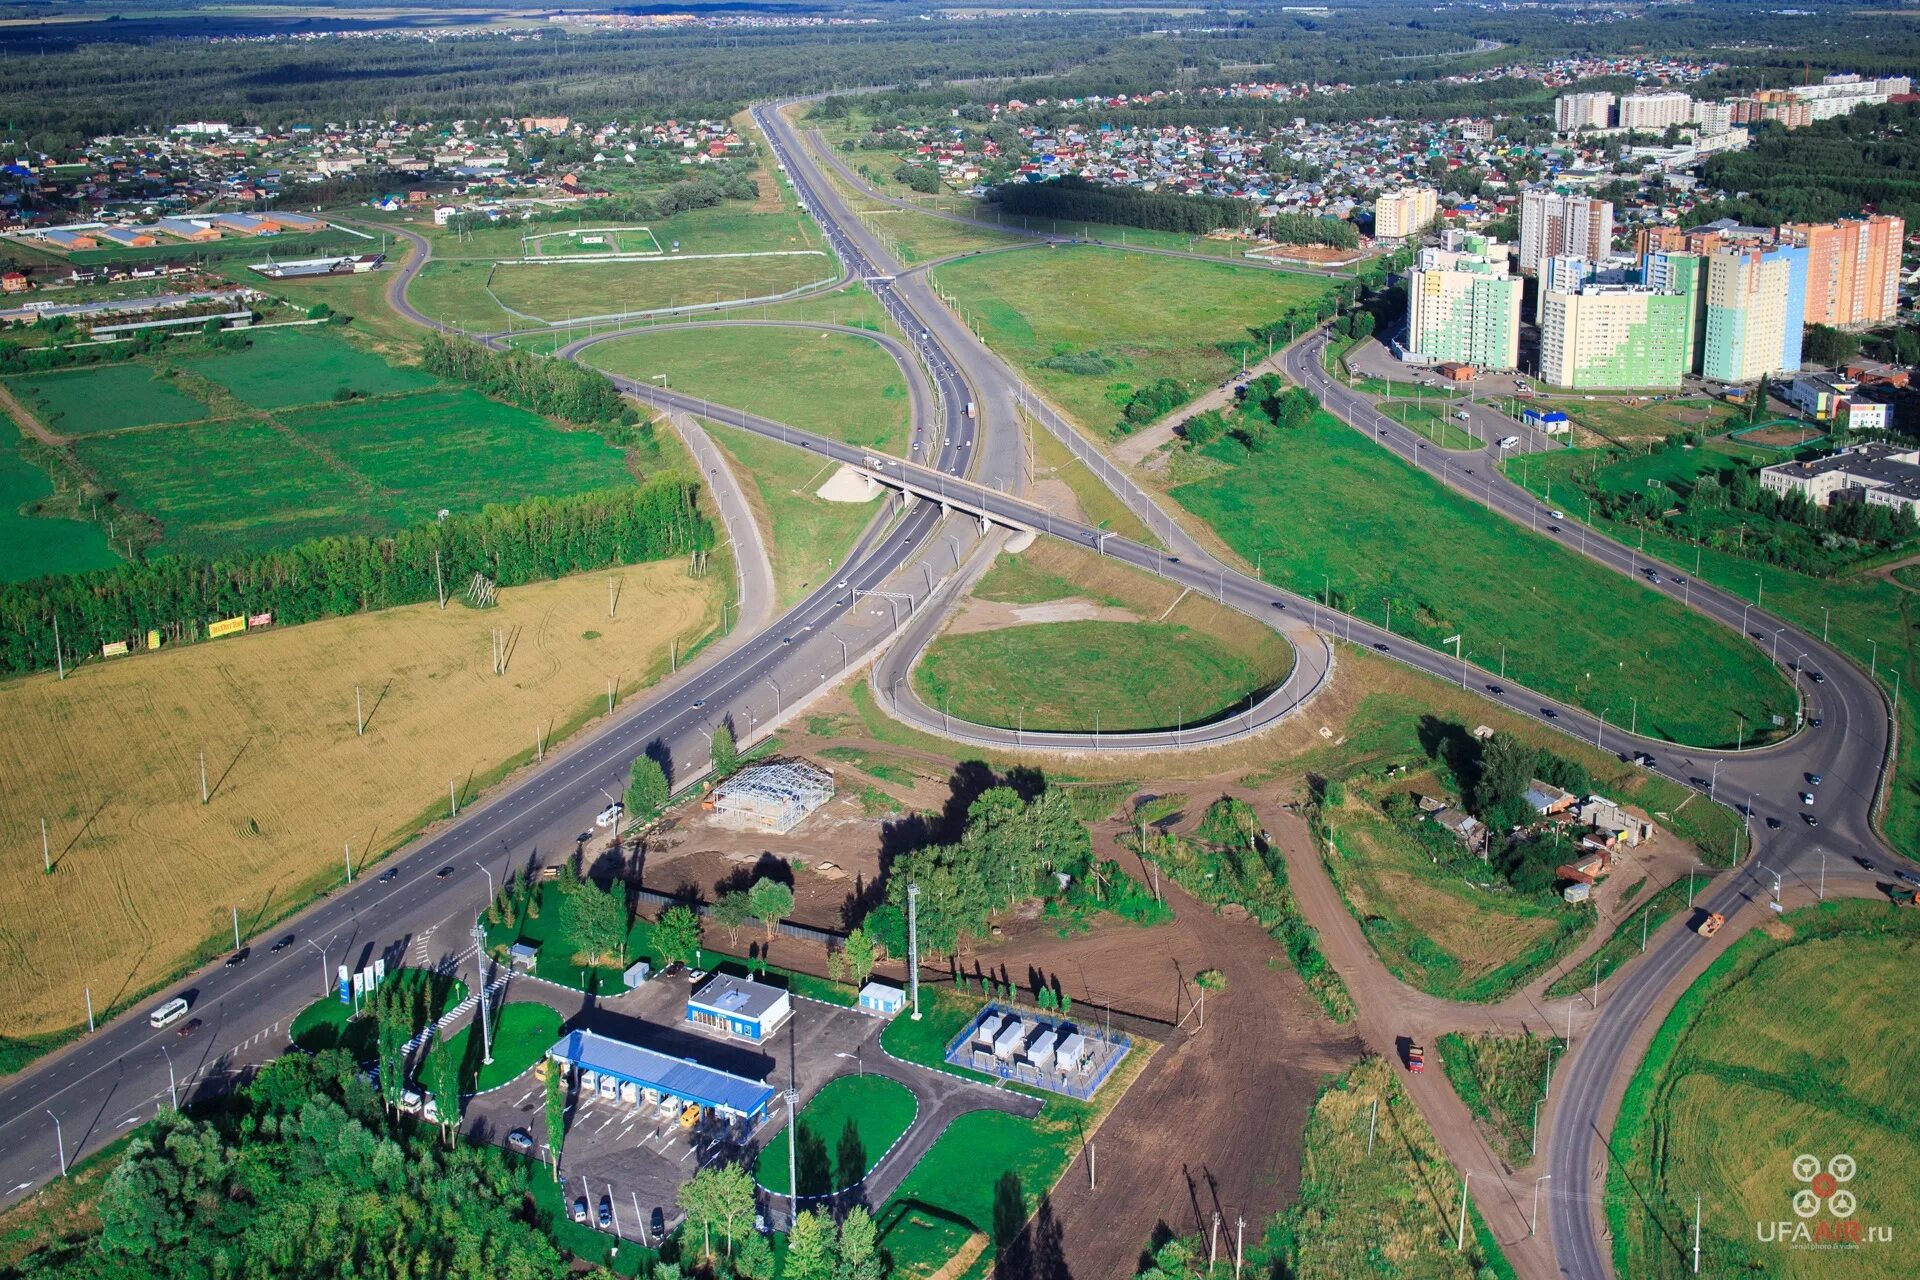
(1614, 337)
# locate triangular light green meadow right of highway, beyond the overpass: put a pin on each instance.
(1147, 318)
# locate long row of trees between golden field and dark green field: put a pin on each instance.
(335, 577)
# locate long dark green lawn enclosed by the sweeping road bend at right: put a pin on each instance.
(1332, 513)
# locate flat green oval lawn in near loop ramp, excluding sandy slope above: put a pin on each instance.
(1063, 675)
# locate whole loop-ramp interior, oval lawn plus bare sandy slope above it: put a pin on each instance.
(1059, 638)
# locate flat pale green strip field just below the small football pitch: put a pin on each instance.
(606, 289)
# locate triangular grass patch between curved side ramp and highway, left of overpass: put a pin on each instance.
(807, 536)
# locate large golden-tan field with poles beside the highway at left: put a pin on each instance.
(145, 874)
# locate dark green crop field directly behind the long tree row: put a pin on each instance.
(368, 467)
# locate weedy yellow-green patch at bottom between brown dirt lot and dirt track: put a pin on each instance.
(1383, 1214)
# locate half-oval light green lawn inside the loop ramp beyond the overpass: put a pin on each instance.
(836, 385)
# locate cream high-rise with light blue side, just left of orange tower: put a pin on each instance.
(1756, 310)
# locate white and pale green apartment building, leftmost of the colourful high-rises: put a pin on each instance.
(1464, 306)
